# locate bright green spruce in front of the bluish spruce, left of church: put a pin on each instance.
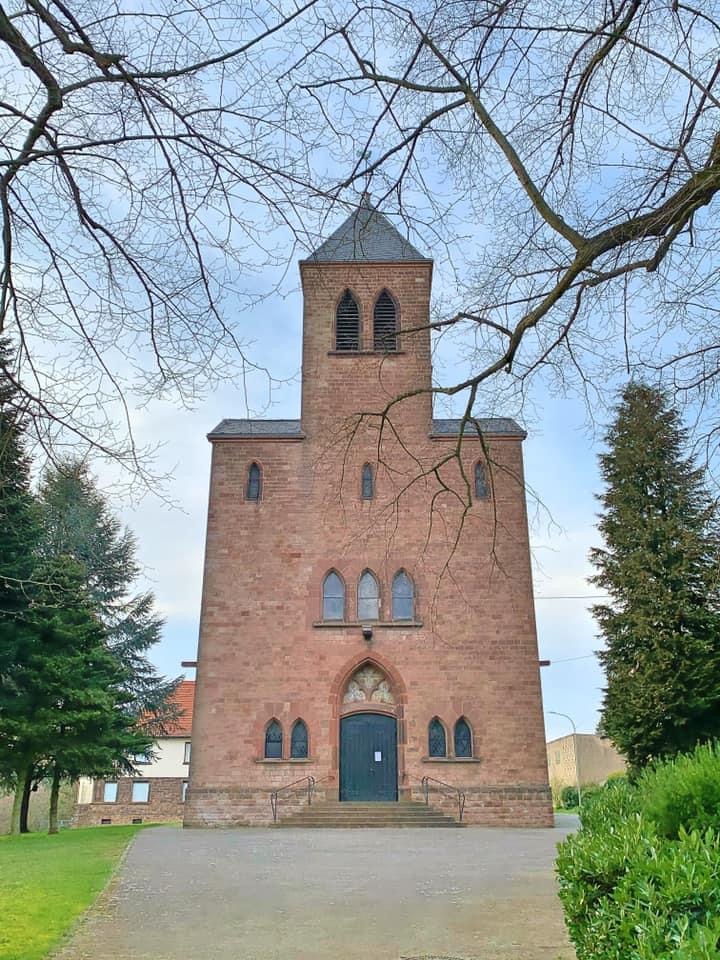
(71, 713)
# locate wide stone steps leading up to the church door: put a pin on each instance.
(332, 814)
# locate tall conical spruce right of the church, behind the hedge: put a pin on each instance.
(660, 567)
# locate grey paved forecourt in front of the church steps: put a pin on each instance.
(474, 894)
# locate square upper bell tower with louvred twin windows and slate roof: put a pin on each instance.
(366, 336)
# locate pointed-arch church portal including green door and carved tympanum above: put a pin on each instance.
(368, 738)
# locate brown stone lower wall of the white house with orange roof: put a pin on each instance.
(164, 804)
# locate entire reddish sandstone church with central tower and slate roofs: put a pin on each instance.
(367, 630)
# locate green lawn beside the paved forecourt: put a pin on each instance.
(47, 882)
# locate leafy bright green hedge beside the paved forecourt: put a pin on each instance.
(640, 880)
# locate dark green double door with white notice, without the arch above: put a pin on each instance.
(368, 757)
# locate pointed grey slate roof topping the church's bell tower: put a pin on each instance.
(366, 235)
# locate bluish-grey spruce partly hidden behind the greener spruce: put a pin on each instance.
(77, 523)
